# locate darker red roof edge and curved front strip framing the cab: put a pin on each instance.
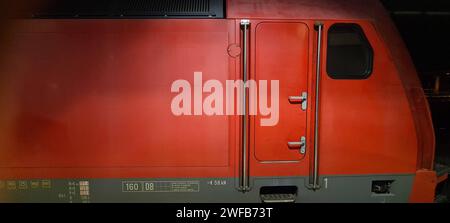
(372, 12)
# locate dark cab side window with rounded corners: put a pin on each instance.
(349, 54)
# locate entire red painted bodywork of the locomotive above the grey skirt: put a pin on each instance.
(91, 98)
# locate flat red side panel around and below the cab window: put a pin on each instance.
(371, 115)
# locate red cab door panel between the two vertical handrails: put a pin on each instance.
(281, 53)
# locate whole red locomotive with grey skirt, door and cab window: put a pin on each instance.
(148, 100)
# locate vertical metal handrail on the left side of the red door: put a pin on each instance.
(244, 178)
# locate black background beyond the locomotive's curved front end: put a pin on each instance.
(424, 26)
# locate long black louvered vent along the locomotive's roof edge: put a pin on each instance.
(131, 9)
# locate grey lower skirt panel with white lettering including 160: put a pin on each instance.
(333, 189)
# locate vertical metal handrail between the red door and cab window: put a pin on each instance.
(315, 179)
